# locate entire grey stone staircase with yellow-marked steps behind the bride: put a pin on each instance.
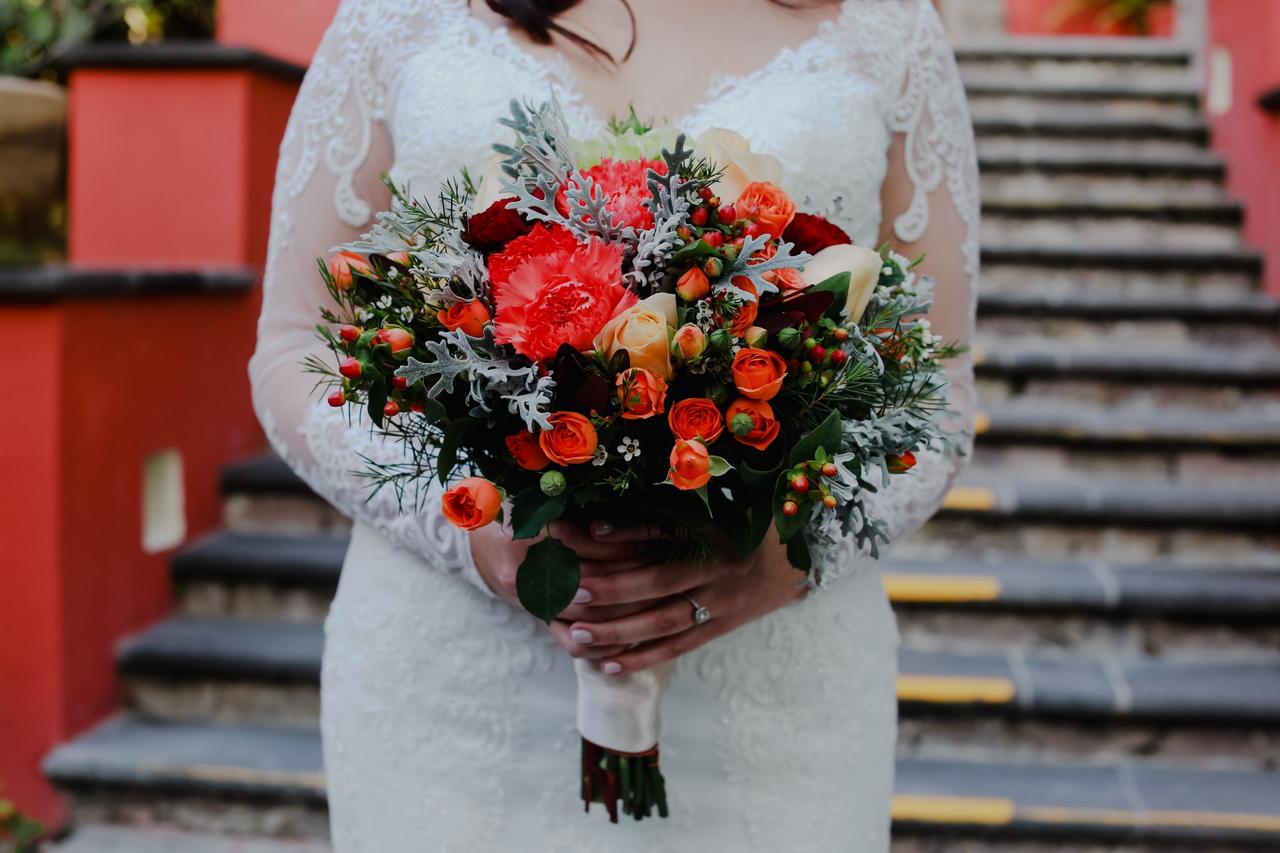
(1091, 654)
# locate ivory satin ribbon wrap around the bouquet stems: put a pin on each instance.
(621, 713)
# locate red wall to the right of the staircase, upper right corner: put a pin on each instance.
(1250, 139)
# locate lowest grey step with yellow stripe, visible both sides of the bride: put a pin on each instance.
(190, 765)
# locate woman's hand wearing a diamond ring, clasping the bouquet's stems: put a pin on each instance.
(661, 628)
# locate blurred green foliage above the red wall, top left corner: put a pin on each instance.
(35, 33)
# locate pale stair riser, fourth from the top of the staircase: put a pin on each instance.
(1080, 188)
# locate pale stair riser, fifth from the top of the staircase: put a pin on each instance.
(1107, 232)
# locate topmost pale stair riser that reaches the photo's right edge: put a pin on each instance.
(1260, 331)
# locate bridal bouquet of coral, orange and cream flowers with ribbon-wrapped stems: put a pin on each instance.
(639, 330)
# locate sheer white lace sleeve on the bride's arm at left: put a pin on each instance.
(327, 188)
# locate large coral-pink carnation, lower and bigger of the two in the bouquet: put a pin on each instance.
(563, 298)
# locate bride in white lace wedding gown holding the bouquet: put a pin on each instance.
(449, 713)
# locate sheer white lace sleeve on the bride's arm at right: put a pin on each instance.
(931, 207)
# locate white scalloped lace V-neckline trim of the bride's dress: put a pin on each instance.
(559, 72)
